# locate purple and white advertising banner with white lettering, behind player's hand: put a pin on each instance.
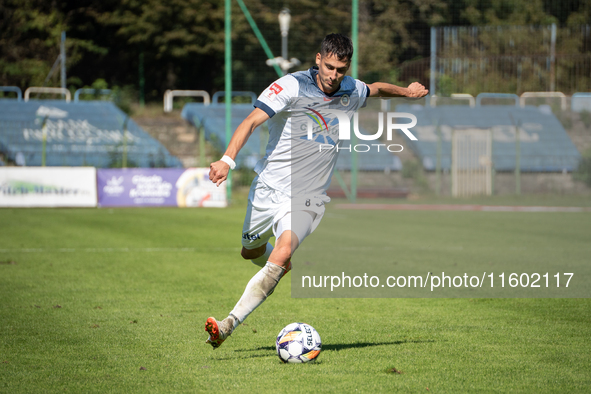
(158, 187)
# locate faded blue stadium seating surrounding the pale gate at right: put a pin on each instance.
(544, 144)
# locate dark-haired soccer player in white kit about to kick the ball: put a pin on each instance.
(287, 198)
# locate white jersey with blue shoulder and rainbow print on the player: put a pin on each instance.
(294, 163)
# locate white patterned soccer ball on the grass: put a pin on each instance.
(298, 343)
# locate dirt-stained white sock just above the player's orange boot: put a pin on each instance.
(258, 289)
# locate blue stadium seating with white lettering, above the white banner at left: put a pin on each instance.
(88, 133)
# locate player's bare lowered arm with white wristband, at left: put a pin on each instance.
(218, 171)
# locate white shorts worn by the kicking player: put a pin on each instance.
(270, 212)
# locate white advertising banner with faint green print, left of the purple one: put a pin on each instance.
(48, 187)
